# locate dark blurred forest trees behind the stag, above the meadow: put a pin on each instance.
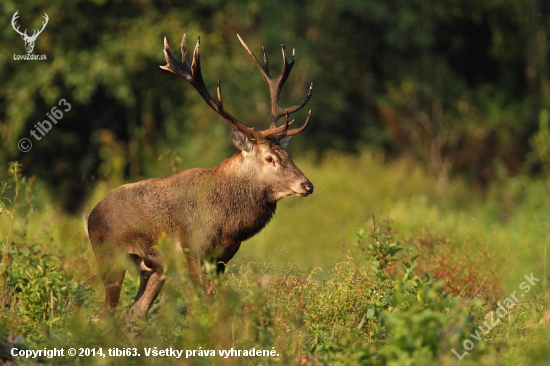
(461, 86)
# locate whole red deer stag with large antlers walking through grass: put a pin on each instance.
(206, 212)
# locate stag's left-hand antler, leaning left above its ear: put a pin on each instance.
(192, 73)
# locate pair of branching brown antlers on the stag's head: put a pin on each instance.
(191, 71)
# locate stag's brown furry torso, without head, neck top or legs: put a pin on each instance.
(175, 205)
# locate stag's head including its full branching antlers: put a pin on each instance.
(263, 152)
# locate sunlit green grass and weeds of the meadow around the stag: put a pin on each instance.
(378, 266)
